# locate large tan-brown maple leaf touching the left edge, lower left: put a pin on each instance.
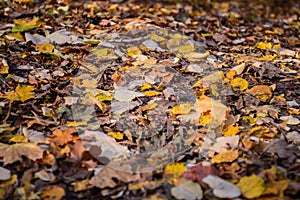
(14, 152)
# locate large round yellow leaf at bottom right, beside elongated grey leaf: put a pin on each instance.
(252, 186)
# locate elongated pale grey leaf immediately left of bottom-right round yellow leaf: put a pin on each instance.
(222, 188)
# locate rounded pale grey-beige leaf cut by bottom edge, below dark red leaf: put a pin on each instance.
(187, 190)
